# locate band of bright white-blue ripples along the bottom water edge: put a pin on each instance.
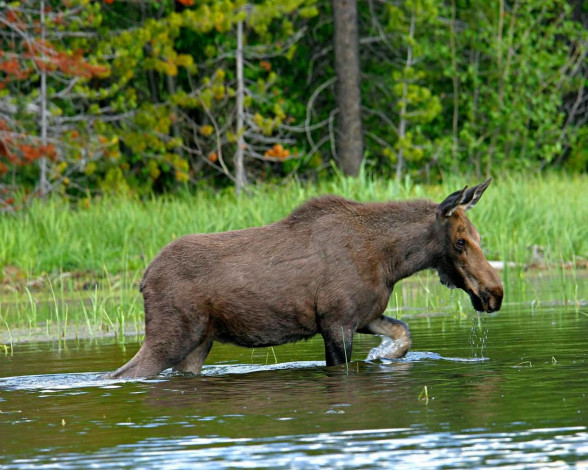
(387, 448)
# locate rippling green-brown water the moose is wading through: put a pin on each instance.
(507, 390)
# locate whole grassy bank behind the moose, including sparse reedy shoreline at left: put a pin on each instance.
(63, 264)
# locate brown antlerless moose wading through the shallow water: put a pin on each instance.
(328, 268)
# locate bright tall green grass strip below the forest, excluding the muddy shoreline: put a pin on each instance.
(118, 235)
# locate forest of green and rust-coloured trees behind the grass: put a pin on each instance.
(137, 97)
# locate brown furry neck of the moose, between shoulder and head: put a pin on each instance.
(412, 242)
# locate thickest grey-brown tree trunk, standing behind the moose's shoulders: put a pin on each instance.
(349, 130)
